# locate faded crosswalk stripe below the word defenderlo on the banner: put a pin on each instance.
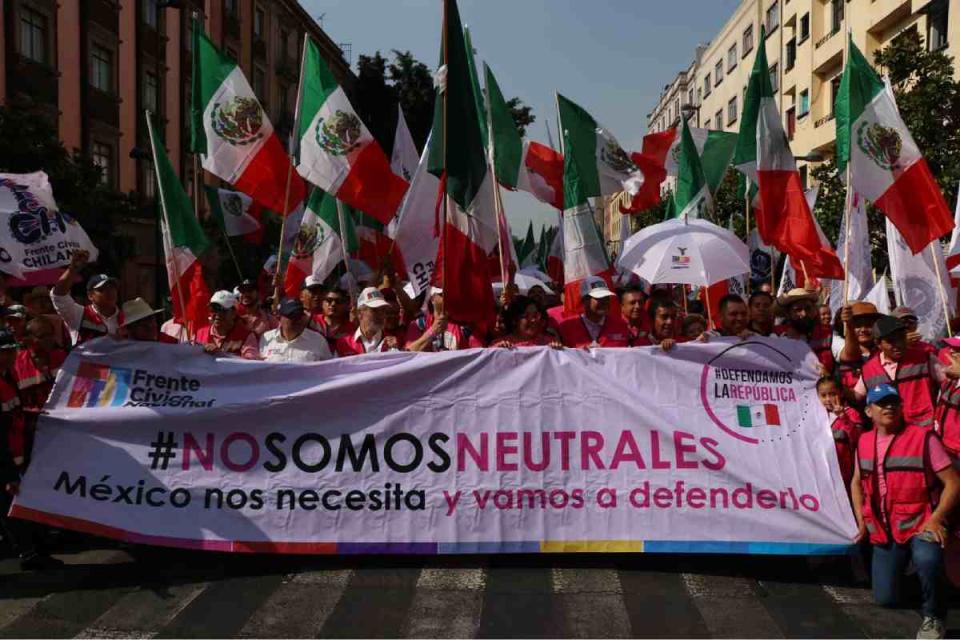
(729, 606)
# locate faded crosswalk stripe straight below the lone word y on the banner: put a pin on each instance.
(447, 603)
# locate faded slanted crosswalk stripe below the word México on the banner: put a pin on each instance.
(143, 612)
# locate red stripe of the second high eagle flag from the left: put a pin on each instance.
(371, 186)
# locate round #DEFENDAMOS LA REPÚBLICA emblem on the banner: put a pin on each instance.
(751, 404)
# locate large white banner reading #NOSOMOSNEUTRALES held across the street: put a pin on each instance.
(719, 447)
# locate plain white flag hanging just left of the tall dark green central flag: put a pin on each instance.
(415, 229)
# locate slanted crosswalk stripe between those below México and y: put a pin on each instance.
(299, 607)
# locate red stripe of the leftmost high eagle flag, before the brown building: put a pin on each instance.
(265, 178)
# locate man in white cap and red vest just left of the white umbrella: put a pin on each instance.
(595, 327)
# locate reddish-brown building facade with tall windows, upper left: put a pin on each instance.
(97, 65)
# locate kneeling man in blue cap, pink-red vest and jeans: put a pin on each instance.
(904, 490)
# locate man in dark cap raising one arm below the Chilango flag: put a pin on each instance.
(99, 318)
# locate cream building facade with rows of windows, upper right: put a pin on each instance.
(805, 50)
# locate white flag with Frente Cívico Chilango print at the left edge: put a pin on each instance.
(34, 234)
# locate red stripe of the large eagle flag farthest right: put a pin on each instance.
(916, 207)
